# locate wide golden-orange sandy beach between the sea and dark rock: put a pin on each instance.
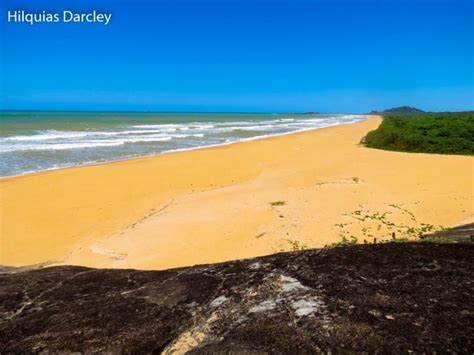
(253, 198)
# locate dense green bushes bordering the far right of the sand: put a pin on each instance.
(442, 133)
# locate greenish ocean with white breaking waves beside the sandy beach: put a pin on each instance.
(37, 141)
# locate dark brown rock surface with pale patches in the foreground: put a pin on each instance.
(387, 298)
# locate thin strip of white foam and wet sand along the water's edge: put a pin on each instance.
(243, 140)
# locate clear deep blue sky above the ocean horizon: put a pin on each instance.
(247, 55)
